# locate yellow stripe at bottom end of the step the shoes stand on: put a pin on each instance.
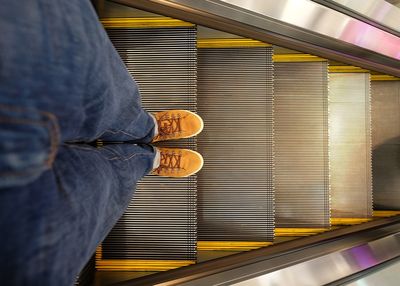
(140, 265)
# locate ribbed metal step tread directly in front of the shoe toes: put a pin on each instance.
(235, 186)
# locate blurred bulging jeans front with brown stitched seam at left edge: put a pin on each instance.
(28, 144)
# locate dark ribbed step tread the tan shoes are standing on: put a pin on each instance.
(160, 222)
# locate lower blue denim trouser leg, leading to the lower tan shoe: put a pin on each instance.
(51, 227)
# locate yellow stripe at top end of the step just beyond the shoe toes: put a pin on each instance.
(230, 43)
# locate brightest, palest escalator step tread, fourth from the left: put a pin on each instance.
(350, 145)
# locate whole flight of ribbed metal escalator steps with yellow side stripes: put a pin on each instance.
(288, 146)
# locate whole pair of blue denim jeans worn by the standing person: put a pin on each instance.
(62, 82)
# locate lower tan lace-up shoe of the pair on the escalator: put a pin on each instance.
(176, 162)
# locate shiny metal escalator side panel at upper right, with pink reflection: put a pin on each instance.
(303, 31)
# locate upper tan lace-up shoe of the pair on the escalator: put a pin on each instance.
(177, 124)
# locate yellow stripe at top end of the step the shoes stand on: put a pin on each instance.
(152, 22)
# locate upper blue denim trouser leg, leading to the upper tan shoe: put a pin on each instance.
(55, 57)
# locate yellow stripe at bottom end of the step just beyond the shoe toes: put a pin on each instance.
(231, 245)
